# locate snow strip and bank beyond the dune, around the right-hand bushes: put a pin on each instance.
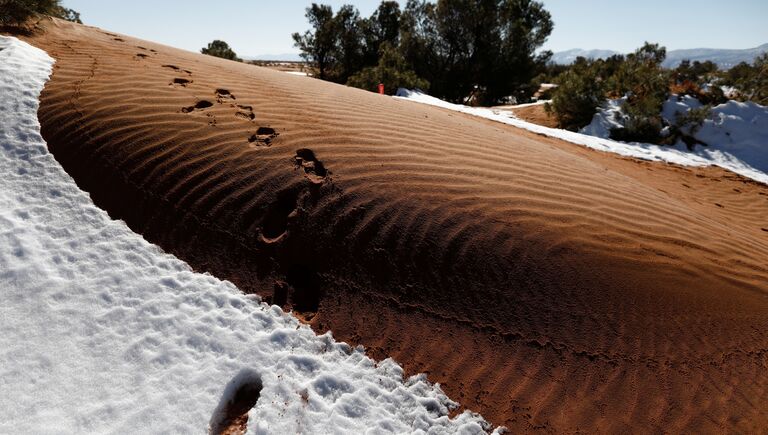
(743, 150)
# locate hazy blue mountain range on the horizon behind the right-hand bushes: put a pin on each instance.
(724, 58)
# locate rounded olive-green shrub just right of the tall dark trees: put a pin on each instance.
(576, 99)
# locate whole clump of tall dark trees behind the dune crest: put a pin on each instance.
(486, 47)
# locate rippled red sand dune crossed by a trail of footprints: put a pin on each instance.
(550, 287)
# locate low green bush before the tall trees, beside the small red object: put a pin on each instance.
(392, 71)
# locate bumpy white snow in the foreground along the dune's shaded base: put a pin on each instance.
(102, 332)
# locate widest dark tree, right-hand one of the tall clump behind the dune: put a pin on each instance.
(488, 45)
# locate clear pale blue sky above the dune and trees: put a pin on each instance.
(254, 27)
